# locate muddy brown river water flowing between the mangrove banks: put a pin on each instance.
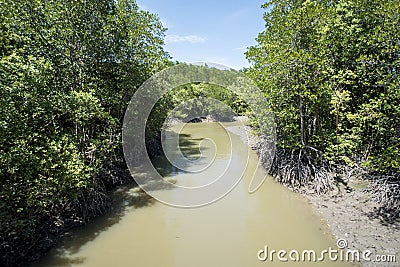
(230, 232)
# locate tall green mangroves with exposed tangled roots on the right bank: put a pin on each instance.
(330, 71)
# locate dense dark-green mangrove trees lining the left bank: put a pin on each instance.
(67, 70)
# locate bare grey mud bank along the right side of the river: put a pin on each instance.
(349, 214)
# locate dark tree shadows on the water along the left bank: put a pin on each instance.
(123, 199)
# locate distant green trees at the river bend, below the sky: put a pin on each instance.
(211, 96)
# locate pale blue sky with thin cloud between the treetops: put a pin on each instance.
(216, 31)
